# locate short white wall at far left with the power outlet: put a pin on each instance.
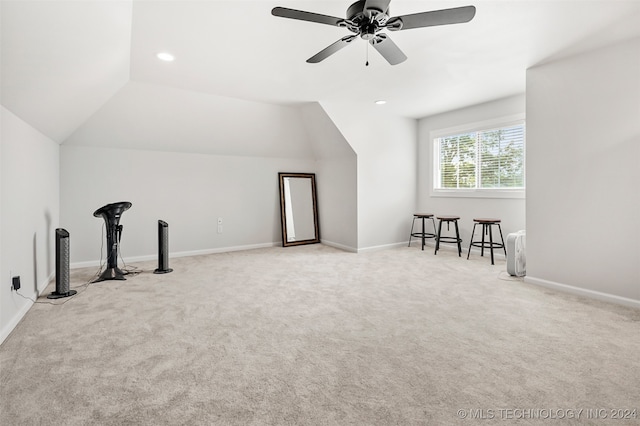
(29, 215)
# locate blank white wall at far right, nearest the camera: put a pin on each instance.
(583, 173)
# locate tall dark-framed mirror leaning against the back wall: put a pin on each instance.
(299, 209)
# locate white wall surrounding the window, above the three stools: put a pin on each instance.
(511, 210)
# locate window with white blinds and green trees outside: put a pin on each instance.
(484, 160)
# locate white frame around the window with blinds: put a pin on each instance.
(506, 121)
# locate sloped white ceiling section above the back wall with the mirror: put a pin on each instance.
(154, 117)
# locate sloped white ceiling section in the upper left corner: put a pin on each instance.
(61, 61)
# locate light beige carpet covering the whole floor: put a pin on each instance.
(312, 335)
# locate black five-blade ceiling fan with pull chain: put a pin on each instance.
(366, 18)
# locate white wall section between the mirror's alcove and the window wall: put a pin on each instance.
(386, 170)
